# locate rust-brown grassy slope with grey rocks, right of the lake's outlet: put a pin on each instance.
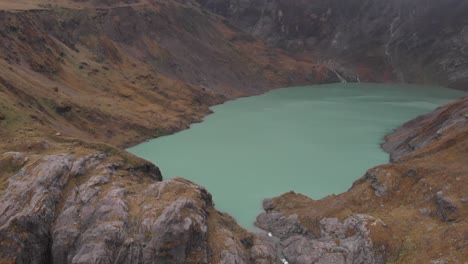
(372, 221)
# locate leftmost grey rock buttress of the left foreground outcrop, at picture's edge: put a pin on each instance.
(29, 205)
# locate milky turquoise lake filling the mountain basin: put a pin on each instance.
(315, 140)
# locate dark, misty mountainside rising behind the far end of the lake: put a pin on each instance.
(421, 41)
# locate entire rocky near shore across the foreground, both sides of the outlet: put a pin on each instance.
(110, 207)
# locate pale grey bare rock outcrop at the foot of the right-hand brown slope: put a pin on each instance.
(339, 242)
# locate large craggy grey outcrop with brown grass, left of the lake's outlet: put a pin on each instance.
(62, 209)
